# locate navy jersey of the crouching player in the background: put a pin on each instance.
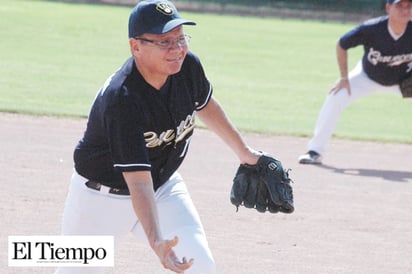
(385, 60)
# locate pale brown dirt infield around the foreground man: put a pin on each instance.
(353, 214)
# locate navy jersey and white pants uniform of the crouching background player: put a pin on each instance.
(386, 61)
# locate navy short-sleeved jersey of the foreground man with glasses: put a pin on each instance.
(134, 127)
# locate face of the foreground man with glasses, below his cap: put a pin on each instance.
(162, 54)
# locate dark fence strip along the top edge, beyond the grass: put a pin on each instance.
(338, 10)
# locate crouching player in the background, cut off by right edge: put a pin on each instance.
(387, 59)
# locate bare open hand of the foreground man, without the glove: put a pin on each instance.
(168, 257)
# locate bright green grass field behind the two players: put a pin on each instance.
(271, 75)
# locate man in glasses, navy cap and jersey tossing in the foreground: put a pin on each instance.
(138, 133)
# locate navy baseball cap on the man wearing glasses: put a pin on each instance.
(155, 17)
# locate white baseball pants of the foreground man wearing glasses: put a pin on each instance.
(90, 212)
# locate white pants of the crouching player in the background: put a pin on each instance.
(334, 104)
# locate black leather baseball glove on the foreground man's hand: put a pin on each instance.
(265, 186)
